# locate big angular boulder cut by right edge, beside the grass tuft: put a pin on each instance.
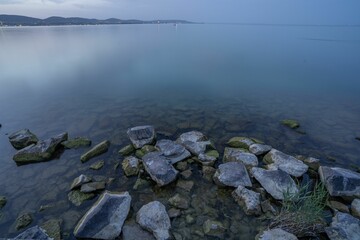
(340, 182)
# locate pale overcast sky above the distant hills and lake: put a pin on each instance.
(252, 11)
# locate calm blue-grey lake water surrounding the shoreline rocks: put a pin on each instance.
(224, 80)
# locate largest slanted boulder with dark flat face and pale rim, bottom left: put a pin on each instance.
(105, 218)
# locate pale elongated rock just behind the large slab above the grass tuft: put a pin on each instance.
(287, 163)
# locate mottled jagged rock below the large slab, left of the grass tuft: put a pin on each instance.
(248, 200)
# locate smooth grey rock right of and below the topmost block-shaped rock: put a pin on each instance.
(172, 151)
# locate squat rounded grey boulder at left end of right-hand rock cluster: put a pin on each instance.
(232, 174)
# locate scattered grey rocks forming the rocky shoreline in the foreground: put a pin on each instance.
(259, 176)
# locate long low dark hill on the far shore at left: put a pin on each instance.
(16, 20)
